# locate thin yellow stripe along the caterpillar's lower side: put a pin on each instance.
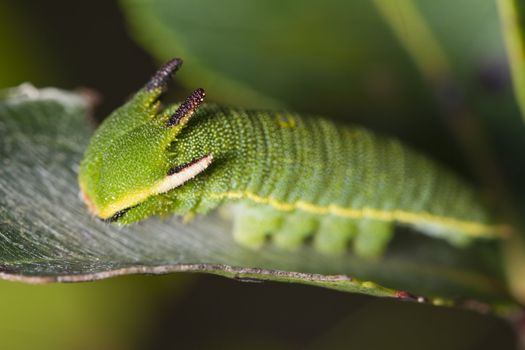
(470, 228)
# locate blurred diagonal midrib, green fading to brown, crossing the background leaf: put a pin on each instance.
(430, 58)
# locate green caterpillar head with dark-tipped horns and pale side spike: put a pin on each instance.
(128, 161)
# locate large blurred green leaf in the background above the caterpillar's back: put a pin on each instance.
(336, 58)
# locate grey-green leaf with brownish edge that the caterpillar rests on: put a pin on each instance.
(47, 235)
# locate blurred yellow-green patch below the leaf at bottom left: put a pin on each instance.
(112, 314)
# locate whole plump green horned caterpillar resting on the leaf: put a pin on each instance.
(285, 176)
